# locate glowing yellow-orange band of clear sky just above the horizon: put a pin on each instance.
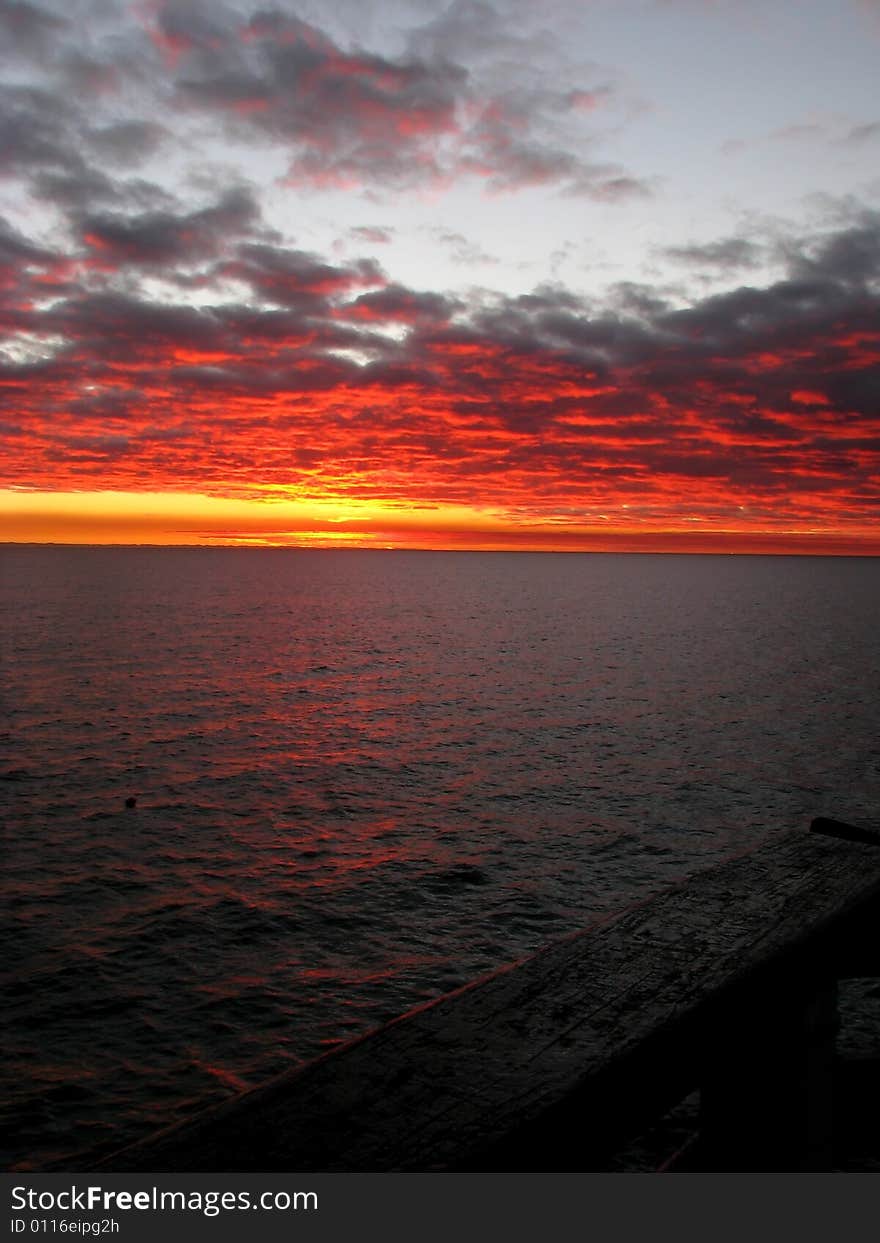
(177, 519)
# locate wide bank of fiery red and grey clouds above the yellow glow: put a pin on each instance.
(744, 411)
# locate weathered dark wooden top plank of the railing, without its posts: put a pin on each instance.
(592, 1032)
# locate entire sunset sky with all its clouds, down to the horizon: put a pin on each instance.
(484, 274)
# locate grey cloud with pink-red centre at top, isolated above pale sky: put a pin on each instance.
(352, 119)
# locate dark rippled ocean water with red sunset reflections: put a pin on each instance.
(365, 779)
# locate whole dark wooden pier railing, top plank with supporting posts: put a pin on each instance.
(725, 985)
